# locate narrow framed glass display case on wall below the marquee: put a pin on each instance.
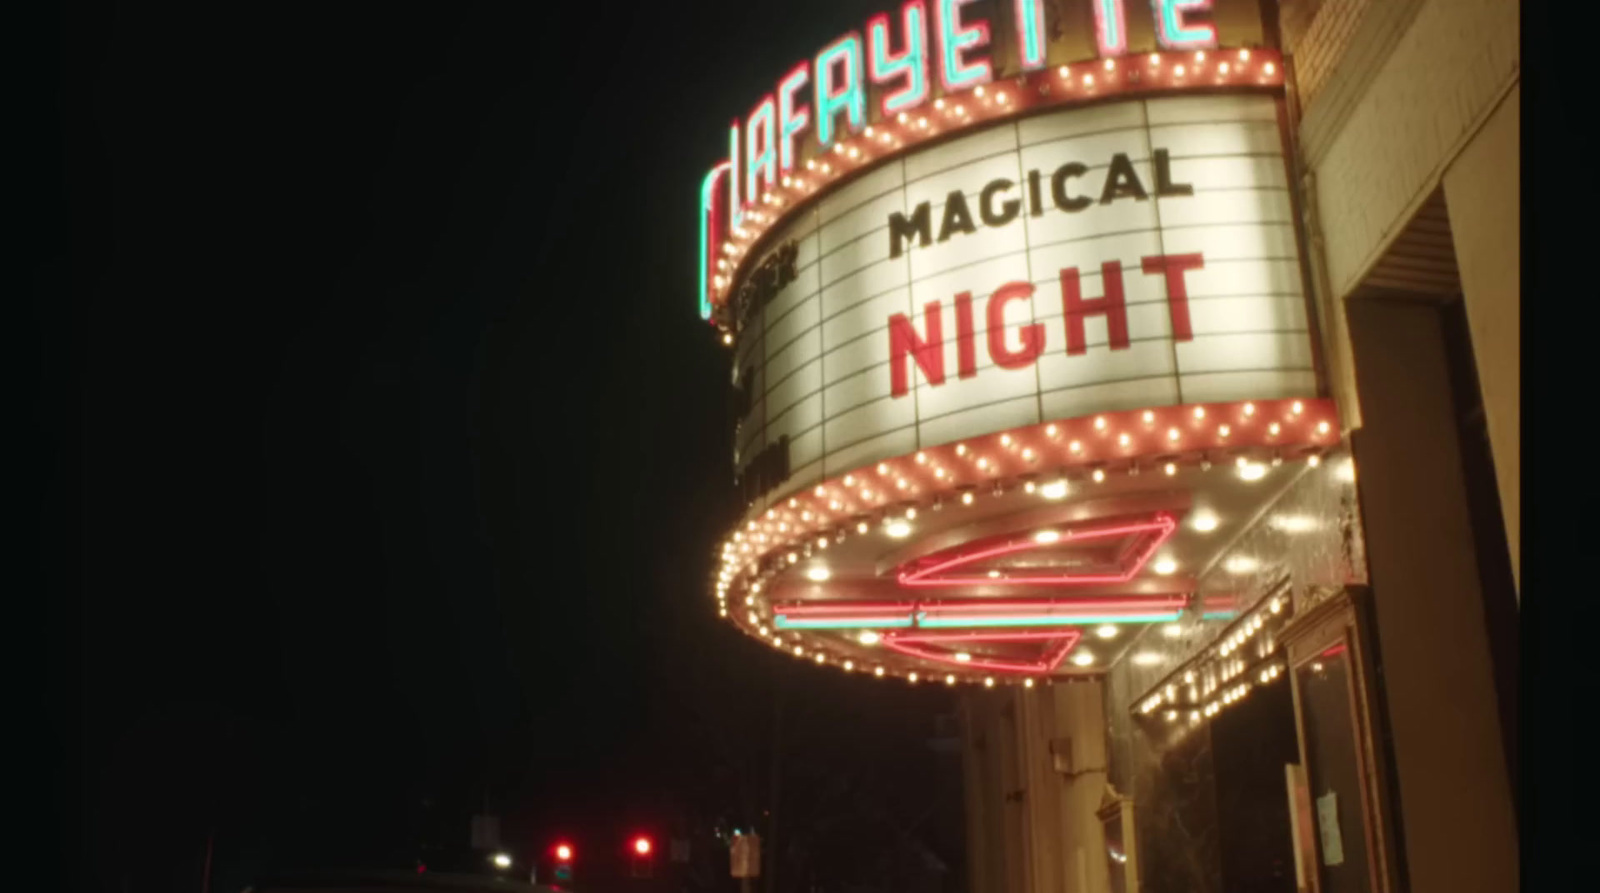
(1334, 755)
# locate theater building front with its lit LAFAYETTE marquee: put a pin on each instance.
(1150, 372)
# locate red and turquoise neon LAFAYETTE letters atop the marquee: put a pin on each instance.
(900, 57)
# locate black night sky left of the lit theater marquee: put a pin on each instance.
(386, 447)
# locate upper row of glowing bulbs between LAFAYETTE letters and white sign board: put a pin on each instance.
(916, 129)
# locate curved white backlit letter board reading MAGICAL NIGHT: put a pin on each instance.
(1087, 260)
